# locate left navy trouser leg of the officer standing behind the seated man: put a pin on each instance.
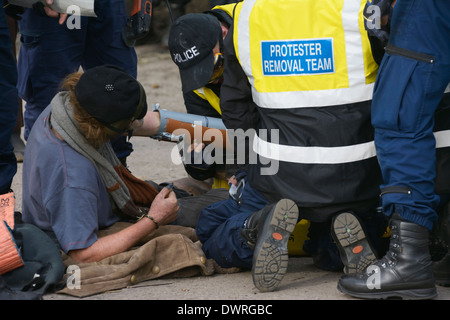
(49, 52)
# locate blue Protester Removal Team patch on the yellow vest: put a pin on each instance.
(297, 57)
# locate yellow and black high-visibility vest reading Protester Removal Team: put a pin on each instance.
(310, 67)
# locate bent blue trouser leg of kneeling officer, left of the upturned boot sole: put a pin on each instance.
(219, 227)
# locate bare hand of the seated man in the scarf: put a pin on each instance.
(164, 207)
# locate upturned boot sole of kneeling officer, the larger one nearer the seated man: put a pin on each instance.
(270, 257)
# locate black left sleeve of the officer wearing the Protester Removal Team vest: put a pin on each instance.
(238, 108)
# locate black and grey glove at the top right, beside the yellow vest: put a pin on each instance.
(374, 11)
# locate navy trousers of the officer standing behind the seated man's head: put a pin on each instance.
(51, 51)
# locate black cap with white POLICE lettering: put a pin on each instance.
(192, 38)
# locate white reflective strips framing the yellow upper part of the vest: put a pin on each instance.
(357, 91)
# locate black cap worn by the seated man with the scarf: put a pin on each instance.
(109, 94)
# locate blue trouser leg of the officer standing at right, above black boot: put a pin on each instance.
(411, 81)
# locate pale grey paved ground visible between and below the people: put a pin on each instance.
(156, 161)
